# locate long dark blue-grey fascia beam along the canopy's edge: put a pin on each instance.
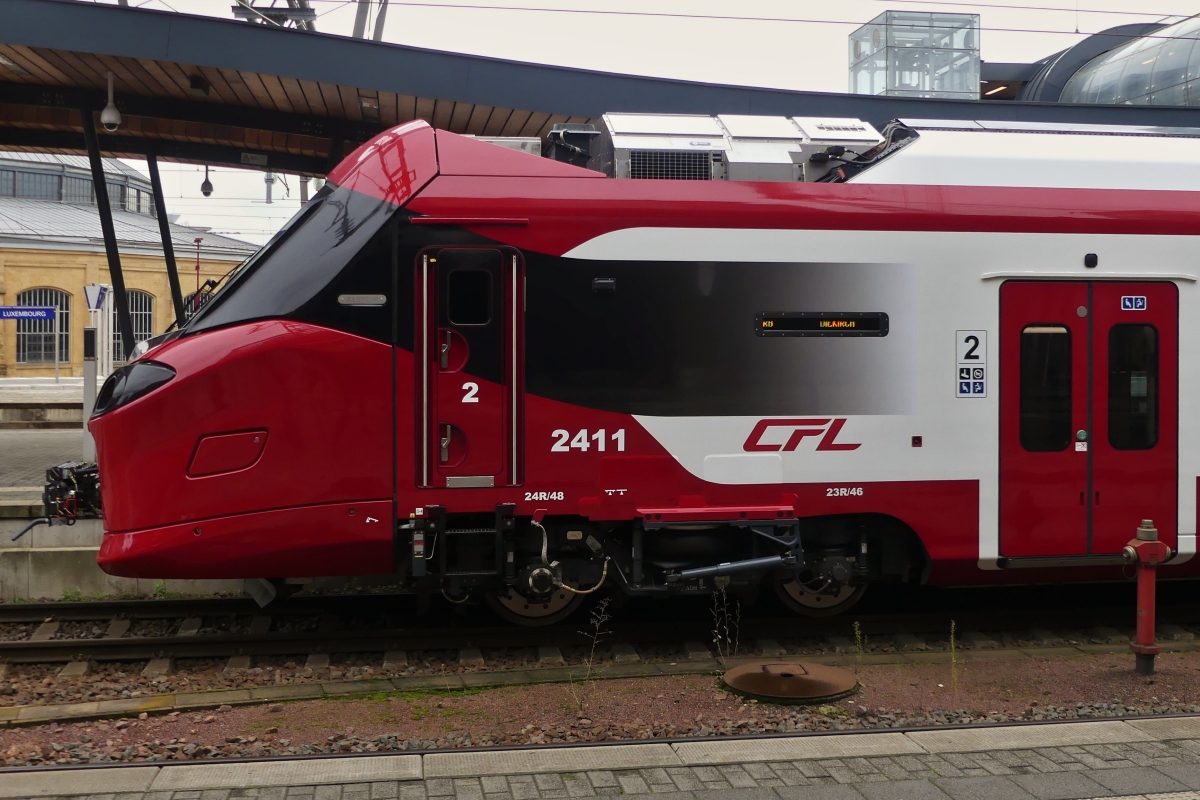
(461, 79)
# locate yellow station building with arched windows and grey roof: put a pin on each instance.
(51, 248)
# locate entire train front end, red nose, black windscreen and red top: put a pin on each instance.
(259, 441)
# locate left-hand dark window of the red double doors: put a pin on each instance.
(1046, 388)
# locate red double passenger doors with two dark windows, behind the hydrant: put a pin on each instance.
(1088, 432)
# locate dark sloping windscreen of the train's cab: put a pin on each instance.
(302, 260)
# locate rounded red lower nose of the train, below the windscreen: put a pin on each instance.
(266, 454)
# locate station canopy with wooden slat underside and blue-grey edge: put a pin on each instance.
(223, 92)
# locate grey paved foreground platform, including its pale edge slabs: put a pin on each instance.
(1141, 759)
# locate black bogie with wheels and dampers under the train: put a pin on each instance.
(538, 570)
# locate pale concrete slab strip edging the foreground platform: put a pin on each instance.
(465, 763)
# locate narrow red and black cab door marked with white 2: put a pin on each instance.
(471, 332)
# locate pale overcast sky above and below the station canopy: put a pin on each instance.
(779, 44)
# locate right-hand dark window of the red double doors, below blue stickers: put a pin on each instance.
(1133, 387)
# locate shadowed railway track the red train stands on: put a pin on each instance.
(368, 624)
